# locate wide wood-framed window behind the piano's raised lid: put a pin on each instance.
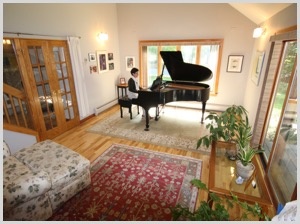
(207, 53)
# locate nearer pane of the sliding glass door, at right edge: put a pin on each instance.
(283, 167)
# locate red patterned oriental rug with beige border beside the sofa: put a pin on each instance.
(134, 184)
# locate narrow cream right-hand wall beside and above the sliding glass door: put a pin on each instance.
(284, 19)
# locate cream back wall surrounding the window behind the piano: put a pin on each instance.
(191, 21)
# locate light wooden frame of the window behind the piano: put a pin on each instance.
(178, 43)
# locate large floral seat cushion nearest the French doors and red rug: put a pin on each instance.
(62, 164)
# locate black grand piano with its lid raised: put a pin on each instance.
(185, 85)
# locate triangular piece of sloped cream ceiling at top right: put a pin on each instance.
(259, 12)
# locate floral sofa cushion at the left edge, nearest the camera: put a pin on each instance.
(20, 184)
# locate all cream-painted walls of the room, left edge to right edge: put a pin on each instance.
(126, 24)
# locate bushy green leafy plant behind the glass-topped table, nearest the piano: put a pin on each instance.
(223, 127)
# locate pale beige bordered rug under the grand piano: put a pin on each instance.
(177, 128)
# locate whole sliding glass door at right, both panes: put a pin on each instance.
(280, 141)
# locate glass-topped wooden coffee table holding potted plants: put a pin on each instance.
(222, 181)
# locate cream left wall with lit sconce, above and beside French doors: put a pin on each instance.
(84, 20)
